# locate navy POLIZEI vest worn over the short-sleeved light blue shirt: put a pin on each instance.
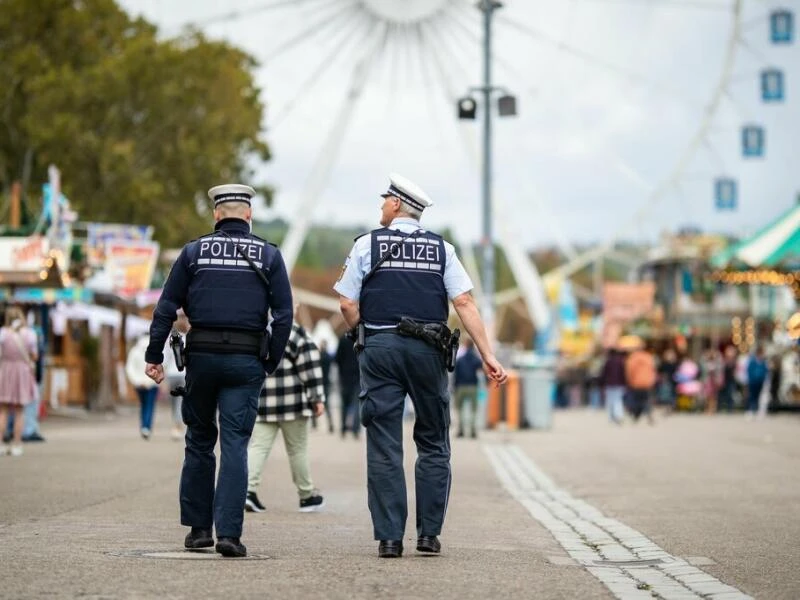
(410, 283)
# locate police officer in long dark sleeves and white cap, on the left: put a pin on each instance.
(227, 283)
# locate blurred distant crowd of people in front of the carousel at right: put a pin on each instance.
(633, 378)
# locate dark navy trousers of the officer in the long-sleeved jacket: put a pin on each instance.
(229, 383)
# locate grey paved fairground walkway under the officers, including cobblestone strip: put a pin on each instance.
(693, 507)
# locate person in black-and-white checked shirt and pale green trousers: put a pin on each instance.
(288, 399)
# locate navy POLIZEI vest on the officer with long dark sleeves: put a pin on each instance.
(225, 292)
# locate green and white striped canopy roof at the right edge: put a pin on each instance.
(778, 243)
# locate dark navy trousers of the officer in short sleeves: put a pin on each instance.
(392, 366)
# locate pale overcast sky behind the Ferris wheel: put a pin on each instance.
(610, 94)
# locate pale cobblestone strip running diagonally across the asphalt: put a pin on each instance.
(630, 565)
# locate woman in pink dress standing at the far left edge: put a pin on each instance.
(18, 353)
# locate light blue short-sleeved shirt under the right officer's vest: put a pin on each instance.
(359, 263)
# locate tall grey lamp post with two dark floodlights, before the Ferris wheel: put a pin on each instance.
(467, 110)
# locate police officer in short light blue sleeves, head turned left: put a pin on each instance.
(395, 287)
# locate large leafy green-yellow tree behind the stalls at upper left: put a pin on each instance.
(140, 127)
